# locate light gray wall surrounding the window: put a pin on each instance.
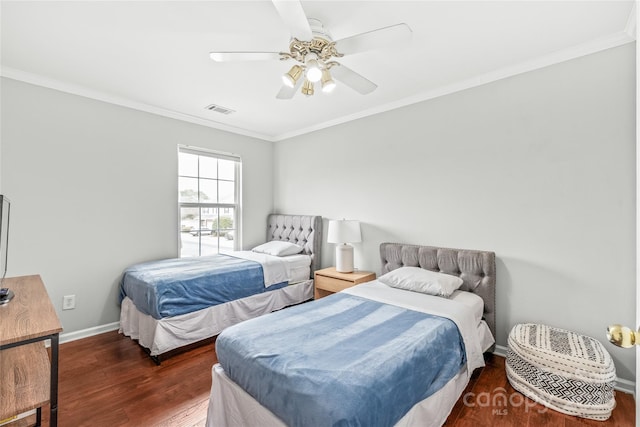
(94, 189)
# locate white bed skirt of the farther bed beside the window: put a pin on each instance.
(163, 335)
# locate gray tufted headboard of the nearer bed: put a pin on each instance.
(477, 269)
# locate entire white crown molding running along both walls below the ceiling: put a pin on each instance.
(615, 40)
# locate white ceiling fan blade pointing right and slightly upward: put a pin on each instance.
(394, 35)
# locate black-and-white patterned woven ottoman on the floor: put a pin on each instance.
(565, 371)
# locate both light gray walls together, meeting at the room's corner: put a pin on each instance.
(539, 168)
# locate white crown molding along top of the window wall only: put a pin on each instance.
(49, 83)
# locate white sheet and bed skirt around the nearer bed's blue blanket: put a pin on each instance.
(230, 405)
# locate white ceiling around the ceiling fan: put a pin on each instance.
(154, 56)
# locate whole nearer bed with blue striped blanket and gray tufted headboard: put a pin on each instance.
(393, 342)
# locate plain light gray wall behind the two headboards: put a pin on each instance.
(539, 168)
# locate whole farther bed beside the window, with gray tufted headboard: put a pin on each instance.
(219, 290)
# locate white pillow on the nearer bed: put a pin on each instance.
(420, 280)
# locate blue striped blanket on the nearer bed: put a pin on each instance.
(341, 360)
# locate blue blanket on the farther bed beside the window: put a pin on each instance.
(181, 285)
